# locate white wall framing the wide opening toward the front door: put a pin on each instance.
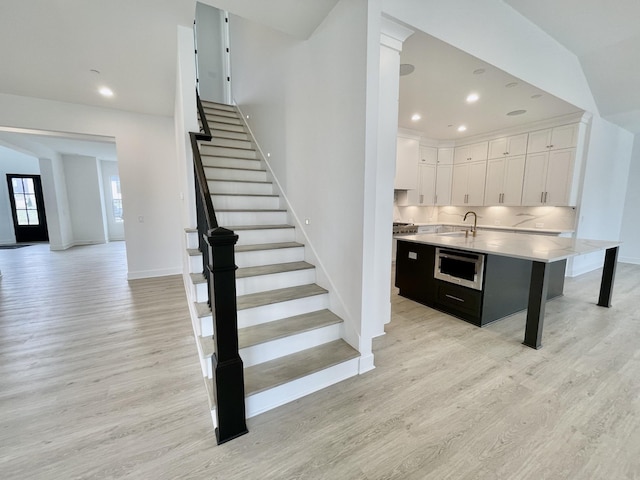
(145, 146)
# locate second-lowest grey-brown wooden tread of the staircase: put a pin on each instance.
(250, 336)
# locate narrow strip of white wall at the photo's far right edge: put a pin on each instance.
(630, 235)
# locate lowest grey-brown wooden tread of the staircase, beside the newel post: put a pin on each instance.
(290, 367)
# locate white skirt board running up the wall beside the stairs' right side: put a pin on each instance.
(336, 302)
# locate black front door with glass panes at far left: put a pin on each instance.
(27, 208)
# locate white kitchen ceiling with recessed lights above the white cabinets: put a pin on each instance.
(442, 79)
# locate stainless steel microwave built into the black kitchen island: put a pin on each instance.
(462, 268)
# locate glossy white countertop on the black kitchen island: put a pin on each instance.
(539, 248)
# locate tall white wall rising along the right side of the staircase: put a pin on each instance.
(306, 103)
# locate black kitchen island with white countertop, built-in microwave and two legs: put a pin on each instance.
(513, 272)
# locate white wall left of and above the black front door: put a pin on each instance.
(12, 162)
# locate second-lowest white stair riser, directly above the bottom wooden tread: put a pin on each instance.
(292, 344)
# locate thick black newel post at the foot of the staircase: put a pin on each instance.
(228, 376)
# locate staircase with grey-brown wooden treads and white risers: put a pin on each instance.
(290, 342)
